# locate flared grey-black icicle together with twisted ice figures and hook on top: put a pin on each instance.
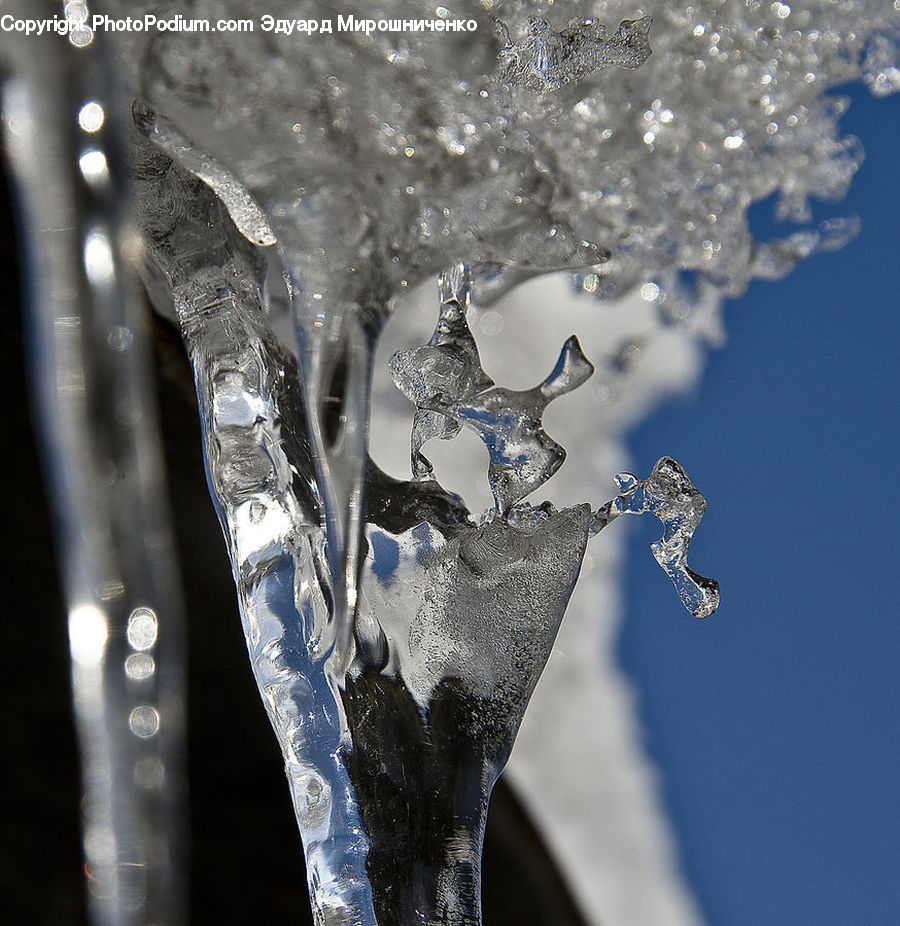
(456, 619)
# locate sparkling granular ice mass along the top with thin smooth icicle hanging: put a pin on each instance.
(402, 152)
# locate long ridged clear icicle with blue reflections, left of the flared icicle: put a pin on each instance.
(260, 469)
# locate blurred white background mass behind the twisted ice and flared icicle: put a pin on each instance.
(599, 809)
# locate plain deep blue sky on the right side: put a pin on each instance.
(775, 722)
